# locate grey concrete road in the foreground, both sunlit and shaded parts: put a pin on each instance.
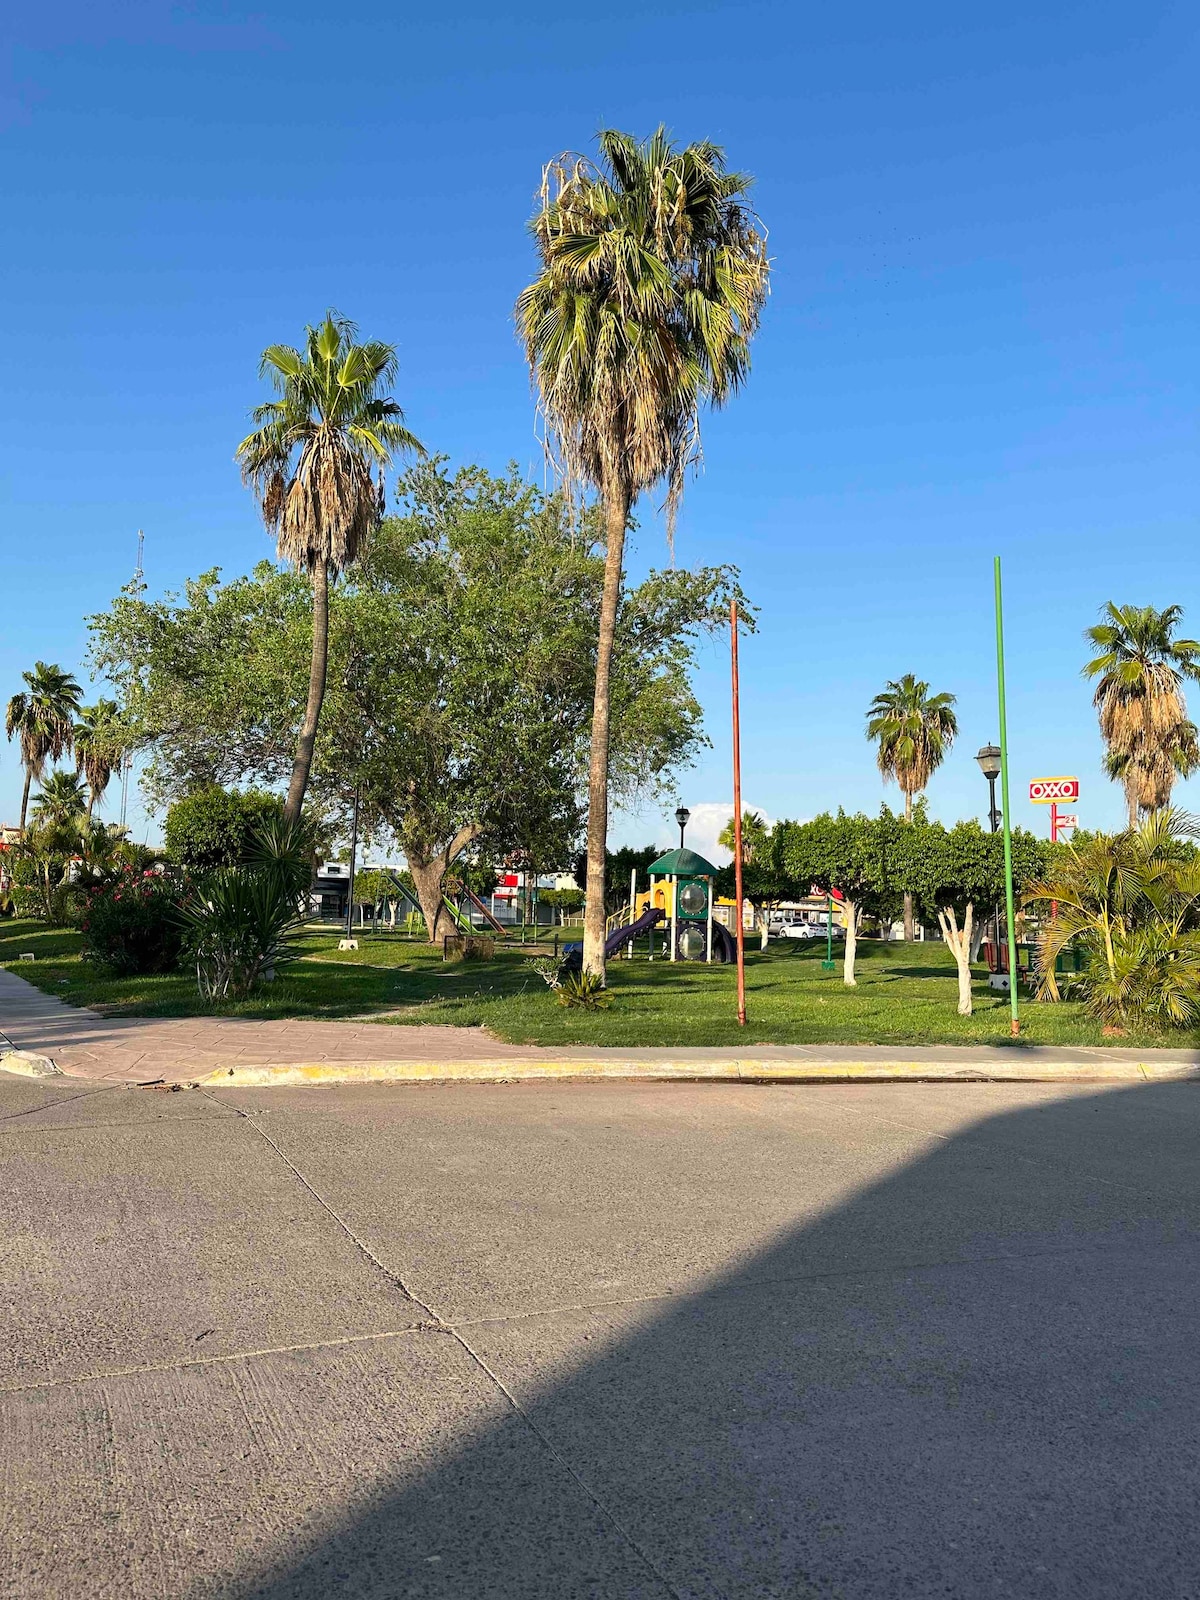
(601, 1340)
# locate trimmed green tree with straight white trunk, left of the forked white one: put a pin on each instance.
(846, 854)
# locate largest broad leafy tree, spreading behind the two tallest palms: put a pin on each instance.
(460, 678)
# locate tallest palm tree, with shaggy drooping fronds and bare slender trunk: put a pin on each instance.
(654, 278)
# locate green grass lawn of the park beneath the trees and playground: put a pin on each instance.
(906, 996)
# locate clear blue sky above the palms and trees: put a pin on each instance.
(982, 337)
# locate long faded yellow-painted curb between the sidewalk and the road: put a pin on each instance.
(745, 1070)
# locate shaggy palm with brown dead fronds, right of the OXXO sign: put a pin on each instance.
(1143, 716)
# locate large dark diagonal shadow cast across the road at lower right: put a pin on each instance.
(974, 1378)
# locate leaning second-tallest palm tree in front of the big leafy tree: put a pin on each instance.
(311, 462)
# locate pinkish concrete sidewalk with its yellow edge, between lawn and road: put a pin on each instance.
(257, 1054)
